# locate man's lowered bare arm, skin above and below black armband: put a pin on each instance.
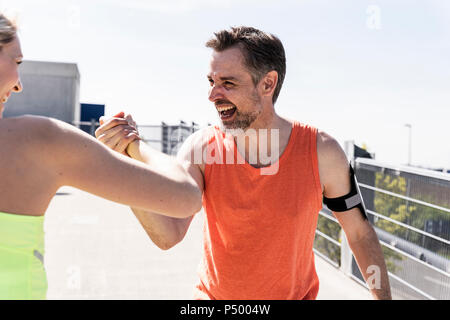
(363, 241)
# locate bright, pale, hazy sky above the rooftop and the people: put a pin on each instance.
(358, 70)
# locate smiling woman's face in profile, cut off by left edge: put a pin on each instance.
(10, 58)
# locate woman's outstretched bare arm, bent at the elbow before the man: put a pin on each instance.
(84, 163)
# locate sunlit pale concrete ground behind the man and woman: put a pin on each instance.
(96, 249)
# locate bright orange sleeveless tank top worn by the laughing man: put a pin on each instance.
(259, 229)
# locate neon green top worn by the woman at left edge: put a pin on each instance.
(22, 273)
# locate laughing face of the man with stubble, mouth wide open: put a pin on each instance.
(232, 90)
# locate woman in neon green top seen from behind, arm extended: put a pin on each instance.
(39, 155)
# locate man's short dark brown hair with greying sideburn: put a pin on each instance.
(263, 52)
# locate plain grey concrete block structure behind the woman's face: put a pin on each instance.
(49, 89)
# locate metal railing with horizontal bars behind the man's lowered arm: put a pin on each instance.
(417, 258)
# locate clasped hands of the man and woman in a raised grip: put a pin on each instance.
(117, 132)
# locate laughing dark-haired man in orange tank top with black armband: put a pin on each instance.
(260, 215)
